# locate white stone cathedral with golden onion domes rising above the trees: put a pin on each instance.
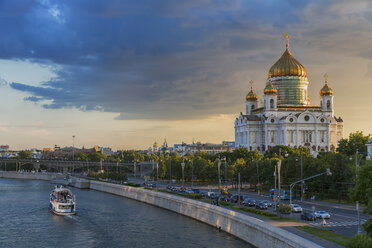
(286, 117)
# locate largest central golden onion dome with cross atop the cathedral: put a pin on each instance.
(287, 65)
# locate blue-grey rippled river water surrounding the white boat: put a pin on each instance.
(102, 220)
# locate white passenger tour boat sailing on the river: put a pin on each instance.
(62, 201)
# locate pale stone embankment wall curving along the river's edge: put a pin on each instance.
(252, 230)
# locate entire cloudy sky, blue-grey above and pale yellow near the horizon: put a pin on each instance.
(125, 73)
